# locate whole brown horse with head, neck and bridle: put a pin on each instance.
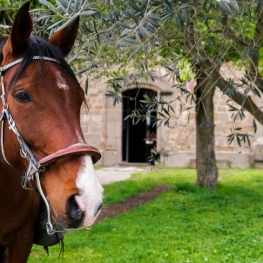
(47, 179)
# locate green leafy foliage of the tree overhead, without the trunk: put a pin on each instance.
(177, 34)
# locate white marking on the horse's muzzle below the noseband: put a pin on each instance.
(90, 191)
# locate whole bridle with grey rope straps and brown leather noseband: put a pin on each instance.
(36, 167)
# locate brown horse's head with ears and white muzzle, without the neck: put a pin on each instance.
(43, 100)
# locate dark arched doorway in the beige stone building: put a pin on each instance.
(139, 139)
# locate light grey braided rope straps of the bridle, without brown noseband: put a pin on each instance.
(34, 167)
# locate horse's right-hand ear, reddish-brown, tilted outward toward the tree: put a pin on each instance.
(65, 38)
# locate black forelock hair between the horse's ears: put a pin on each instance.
(38, 46)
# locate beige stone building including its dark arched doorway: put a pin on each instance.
(120, 142)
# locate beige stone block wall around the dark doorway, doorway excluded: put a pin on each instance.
(102, 127)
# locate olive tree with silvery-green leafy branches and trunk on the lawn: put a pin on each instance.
(205, 34)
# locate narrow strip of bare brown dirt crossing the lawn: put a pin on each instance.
(132, 202)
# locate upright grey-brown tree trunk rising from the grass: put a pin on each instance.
(207, 172)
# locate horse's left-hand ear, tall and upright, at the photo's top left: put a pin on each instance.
(20, 32)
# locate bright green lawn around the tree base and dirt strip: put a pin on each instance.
(186, 224)
